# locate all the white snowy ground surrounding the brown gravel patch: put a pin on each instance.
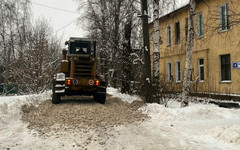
(197, 127)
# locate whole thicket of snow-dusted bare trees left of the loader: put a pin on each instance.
(28, 51)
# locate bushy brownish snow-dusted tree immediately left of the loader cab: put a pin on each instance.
(40, 57)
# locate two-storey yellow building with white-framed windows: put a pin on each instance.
(216, 54)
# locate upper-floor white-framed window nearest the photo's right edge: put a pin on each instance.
(226, 18)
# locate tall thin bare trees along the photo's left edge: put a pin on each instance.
(13, 16)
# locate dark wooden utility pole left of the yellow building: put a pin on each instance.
(146, 48)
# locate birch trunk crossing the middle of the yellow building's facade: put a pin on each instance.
(188, 63)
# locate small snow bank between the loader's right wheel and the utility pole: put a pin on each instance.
(125, 97)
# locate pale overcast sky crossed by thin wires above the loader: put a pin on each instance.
(58, 18)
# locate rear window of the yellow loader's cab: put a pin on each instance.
(80, 47)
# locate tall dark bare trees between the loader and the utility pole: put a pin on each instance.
(107, 23)
